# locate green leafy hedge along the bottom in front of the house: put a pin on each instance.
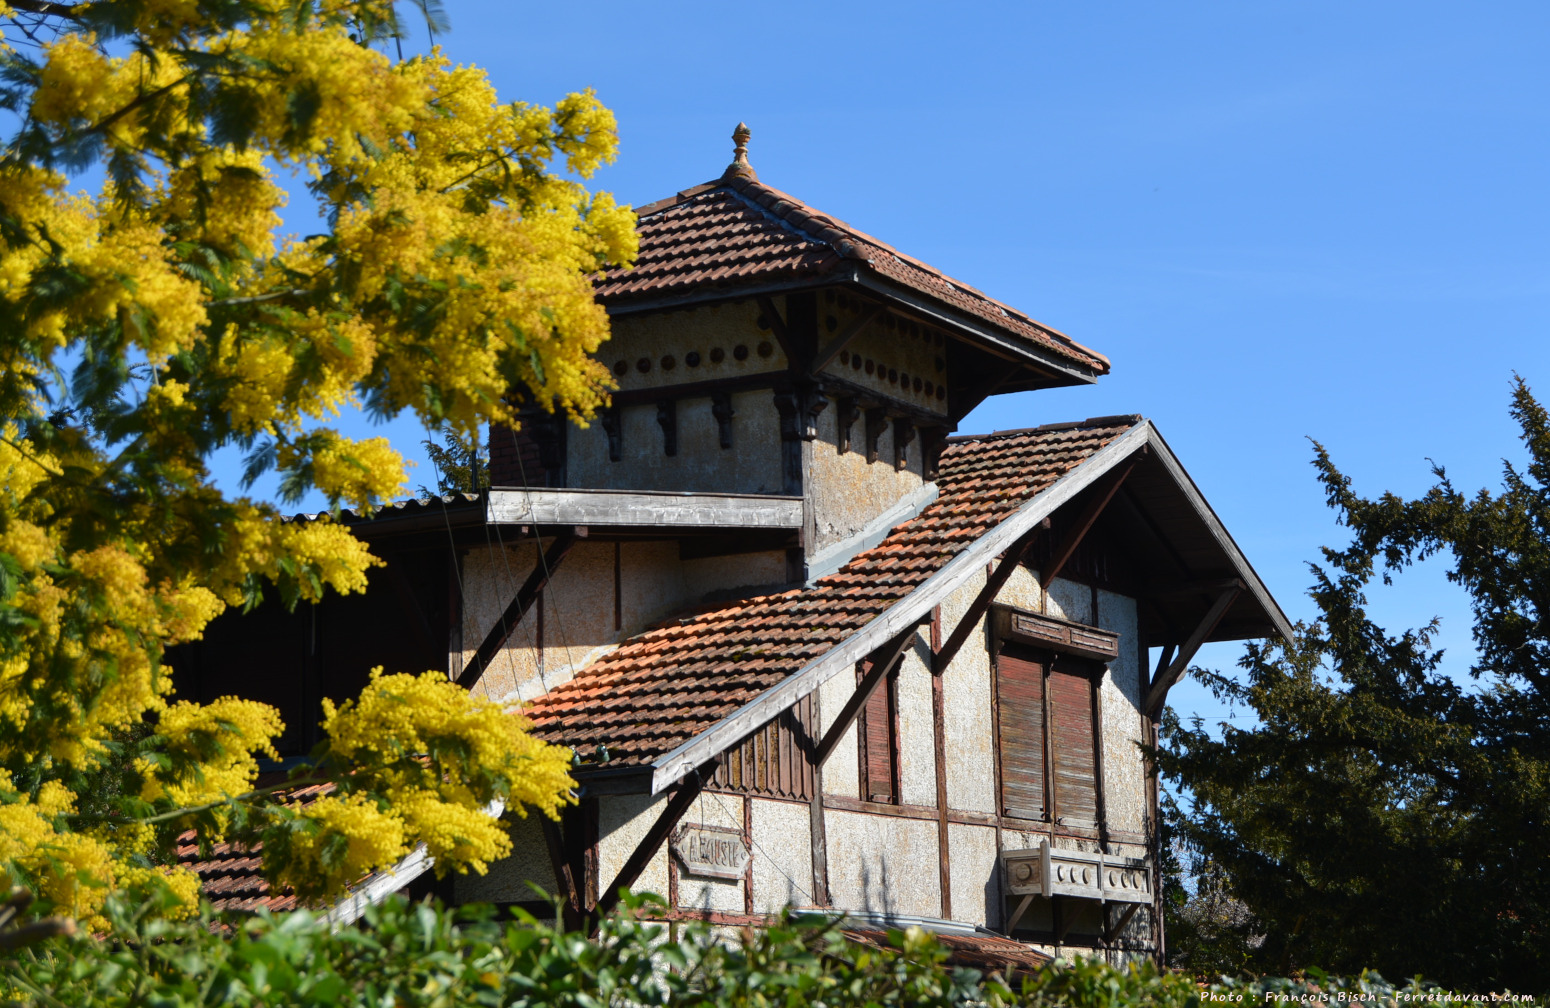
(421, 956)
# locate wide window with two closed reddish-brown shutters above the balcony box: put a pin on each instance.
(1047, 736)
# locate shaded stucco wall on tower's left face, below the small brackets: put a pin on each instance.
(751, 466)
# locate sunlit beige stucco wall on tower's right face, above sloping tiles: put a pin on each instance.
(846, 492)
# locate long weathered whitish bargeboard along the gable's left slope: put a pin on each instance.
(903, 615)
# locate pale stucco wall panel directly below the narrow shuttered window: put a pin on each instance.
(883, 865)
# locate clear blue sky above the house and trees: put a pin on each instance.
(1280, 221)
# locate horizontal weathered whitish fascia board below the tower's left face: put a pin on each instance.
(644, 509)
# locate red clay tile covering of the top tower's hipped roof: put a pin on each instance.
(739, 232)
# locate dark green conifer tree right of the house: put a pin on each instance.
(1382, 815)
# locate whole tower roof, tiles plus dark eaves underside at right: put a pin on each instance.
(739, 238)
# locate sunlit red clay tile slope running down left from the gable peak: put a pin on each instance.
(672, 683)
